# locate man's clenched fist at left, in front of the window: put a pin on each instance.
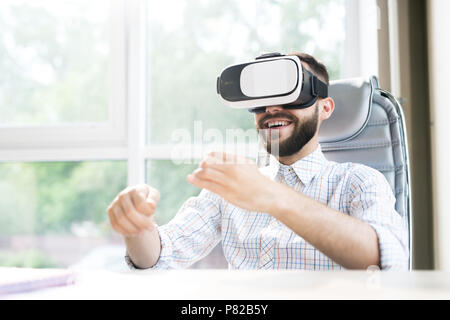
(131, 212)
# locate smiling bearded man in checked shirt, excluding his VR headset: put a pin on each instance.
(303, 212)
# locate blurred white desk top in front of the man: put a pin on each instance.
(253, 285)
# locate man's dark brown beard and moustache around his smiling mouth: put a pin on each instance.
(302, 133)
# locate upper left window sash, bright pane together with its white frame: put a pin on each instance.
(62, 73)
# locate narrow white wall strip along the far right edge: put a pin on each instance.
(438, 12)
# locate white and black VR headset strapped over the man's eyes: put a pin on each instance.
(272, 79)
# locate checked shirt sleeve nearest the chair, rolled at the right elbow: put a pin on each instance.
(372, 201)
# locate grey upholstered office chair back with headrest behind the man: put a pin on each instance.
(367, 127)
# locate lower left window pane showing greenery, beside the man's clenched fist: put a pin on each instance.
(53, 213)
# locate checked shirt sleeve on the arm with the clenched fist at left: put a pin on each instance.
(192, 233)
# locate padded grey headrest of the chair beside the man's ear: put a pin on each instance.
(353, 102)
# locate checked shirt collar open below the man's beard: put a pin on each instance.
(306, 168)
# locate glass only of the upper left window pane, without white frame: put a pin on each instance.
(56, 54)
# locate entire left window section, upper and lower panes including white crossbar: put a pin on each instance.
(62, 105)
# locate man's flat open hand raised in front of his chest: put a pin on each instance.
(237, 180)
